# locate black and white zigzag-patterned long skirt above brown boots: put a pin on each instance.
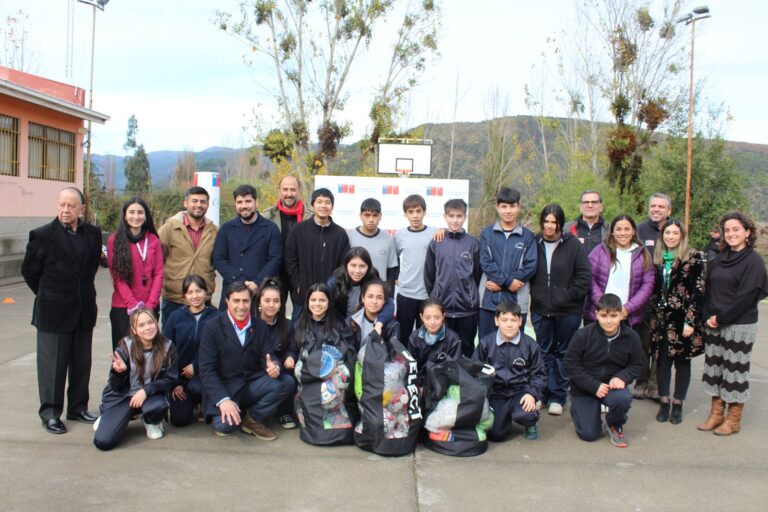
(727, 355)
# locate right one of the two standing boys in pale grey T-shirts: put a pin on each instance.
(411, 244)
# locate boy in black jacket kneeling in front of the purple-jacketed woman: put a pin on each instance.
(602, 360)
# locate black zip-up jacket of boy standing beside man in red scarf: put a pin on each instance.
(312, 253)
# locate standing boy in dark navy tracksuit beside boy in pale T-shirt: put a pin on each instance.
(452, 274)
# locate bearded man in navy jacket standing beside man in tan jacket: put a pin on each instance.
(248, 248)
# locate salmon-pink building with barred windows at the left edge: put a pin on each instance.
(42, 129)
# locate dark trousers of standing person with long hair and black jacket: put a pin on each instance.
(553, 334)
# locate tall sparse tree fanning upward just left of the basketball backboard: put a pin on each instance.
(311, 48)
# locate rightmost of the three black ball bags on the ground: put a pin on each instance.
(457, 410)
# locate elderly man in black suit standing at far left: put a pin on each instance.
(60, 267)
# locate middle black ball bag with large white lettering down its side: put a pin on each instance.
(387, 397)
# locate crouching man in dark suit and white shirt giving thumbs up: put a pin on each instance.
(238, 371)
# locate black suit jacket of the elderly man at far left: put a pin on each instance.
(61, 281)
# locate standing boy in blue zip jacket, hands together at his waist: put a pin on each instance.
(508, 257)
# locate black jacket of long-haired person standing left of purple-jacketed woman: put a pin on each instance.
(561, 291)
